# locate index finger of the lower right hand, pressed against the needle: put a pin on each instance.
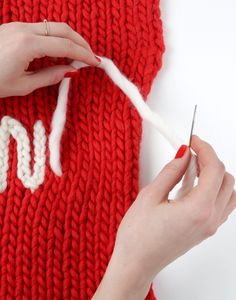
(211, 170)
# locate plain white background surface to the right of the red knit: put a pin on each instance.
(199, 66)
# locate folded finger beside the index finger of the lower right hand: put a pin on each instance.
(225, 194)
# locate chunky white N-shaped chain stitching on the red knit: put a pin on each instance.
(10, 126)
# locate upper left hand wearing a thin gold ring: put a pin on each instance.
(21, 43)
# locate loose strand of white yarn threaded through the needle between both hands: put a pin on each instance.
(136, 98)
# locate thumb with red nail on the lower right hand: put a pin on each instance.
(171, 174)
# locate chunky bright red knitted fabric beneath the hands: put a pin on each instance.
(56, 243)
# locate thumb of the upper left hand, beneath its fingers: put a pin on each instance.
(45, 77)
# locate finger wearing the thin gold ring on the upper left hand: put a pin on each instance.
(57, 29)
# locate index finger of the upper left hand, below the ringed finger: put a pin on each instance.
(60, 47)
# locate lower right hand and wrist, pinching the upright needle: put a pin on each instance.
(155, 231)
